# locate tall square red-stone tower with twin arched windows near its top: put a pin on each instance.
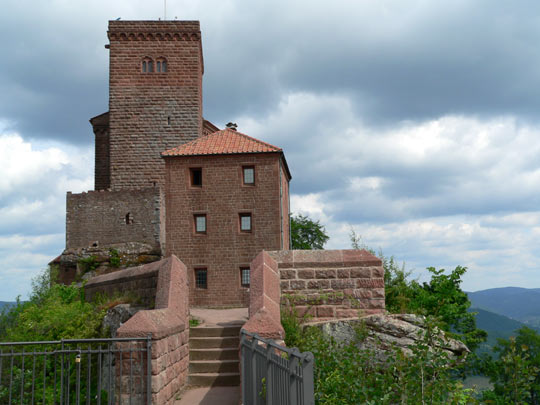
(151, 112)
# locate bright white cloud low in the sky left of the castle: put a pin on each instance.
(33, 187)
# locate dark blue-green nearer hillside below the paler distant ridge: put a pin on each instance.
(497, 326)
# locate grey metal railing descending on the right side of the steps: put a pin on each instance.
(273, 374)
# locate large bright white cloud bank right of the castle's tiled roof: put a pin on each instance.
(452, 191)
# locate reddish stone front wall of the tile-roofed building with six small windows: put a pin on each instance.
(223, 249)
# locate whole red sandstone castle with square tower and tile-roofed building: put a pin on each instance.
(167, 181)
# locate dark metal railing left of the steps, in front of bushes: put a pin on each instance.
(84, 371)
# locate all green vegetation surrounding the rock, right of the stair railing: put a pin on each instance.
(345, 374)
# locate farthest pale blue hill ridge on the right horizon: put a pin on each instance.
(520, 304)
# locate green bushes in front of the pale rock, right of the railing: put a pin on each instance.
(346, 374)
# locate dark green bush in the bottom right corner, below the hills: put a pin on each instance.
(515, 375)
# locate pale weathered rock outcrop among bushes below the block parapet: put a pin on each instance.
(381, 332)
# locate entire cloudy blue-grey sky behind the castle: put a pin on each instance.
(415, 123)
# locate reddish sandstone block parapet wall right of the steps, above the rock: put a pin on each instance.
(331, 284)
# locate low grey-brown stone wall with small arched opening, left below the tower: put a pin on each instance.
(108, 217)
